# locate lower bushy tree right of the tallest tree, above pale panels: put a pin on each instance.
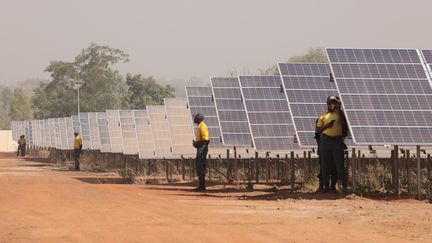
(143, 91)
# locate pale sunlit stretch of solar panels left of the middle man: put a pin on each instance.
(159, 131)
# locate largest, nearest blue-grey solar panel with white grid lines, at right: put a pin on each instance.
(386, 94)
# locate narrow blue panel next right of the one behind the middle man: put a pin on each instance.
(232, 115)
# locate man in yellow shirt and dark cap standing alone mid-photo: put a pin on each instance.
(201, 144)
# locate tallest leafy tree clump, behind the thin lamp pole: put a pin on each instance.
(101, 87)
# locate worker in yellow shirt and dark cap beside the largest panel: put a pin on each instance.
(331, 143)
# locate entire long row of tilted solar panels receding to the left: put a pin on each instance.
(387, 96)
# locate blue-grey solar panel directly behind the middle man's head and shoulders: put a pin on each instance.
(200, 100)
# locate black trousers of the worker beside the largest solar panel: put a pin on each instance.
(332, 151)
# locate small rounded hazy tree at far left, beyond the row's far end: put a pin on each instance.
(20, 106)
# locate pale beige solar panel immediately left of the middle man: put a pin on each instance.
(180, 126)
